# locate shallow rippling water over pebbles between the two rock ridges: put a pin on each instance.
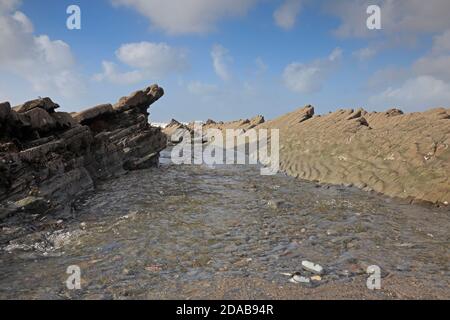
(182, 224)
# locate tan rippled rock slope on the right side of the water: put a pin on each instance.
(401, 155)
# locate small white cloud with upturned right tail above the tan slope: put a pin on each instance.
(309, 78)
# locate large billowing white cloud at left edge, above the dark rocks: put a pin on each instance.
(47, 65)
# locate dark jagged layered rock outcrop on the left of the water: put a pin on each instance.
(56, 156)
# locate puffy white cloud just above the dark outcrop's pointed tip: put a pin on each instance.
(148, 60)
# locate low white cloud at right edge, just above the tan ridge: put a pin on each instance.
(415, 94)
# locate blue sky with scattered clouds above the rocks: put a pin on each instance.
(228, 59)
